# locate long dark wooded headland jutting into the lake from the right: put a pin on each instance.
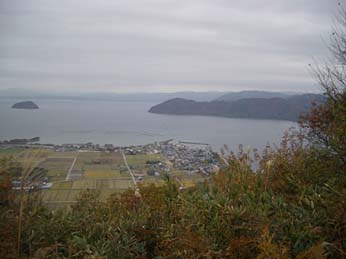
(276, 108)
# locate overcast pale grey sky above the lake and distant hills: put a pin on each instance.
(162, 45)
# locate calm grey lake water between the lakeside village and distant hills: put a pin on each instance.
(129, 123)
